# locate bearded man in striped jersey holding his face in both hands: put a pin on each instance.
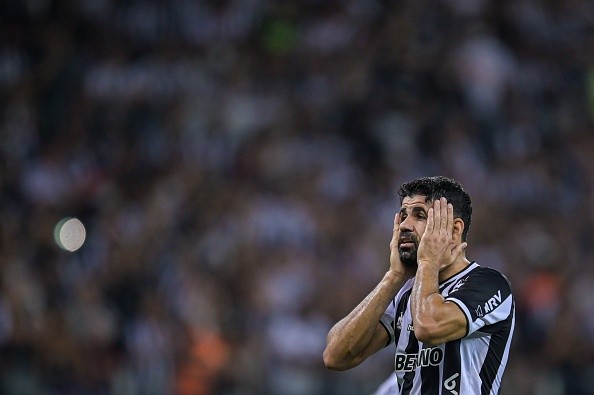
(451, 320)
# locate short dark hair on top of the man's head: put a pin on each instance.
(436, 187)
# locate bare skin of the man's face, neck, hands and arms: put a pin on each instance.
(429, 231)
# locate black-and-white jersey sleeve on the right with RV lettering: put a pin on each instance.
(485, 297)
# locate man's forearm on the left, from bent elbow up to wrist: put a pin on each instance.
(350, 341)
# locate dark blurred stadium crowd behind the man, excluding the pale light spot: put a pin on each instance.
(236, 162)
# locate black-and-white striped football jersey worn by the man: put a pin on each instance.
(473, 364)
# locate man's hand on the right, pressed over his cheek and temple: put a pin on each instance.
(438, 248)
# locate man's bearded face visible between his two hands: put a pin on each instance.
(413, 220)
